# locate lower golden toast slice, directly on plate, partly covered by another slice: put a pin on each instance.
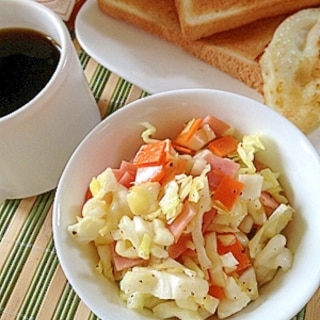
(235, 52)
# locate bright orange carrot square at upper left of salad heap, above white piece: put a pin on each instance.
(151, 154)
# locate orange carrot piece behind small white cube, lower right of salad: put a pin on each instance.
(238, 252)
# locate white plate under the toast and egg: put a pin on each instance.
(149, 62)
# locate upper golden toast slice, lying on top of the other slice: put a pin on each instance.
(202, 18)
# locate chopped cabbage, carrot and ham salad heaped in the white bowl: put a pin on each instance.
(192, 225)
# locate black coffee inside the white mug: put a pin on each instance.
(27, 61)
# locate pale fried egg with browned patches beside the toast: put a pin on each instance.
(290, 69)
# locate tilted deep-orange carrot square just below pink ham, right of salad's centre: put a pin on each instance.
(228, 191)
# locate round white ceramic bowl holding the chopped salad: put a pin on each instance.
(118, 137)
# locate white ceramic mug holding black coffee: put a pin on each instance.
(37, 139)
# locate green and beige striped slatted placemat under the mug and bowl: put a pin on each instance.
(32, 283)
